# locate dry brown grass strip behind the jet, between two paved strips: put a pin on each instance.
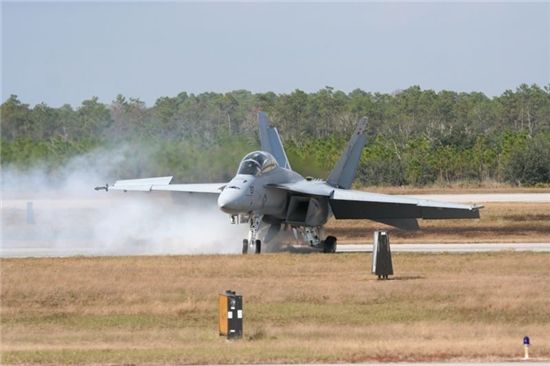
(499, 222)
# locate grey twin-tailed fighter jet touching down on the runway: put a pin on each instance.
(269, 196)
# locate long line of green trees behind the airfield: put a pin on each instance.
(415, 137)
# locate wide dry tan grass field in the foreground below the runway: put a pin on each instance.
(298, 308)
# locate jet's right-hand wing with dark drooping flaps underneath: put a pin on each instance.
(391, 209)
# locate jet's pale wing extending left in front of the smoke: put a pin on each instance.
(163, 184)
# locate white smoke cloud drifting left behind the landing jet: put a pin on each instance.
(69, 218)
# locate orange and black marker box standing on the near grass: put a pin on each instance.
(230, 309)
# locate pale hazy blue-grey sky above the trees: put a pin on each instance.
(66, 52)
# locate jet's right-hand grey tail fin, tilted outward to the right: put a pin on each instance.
(343, 174)
